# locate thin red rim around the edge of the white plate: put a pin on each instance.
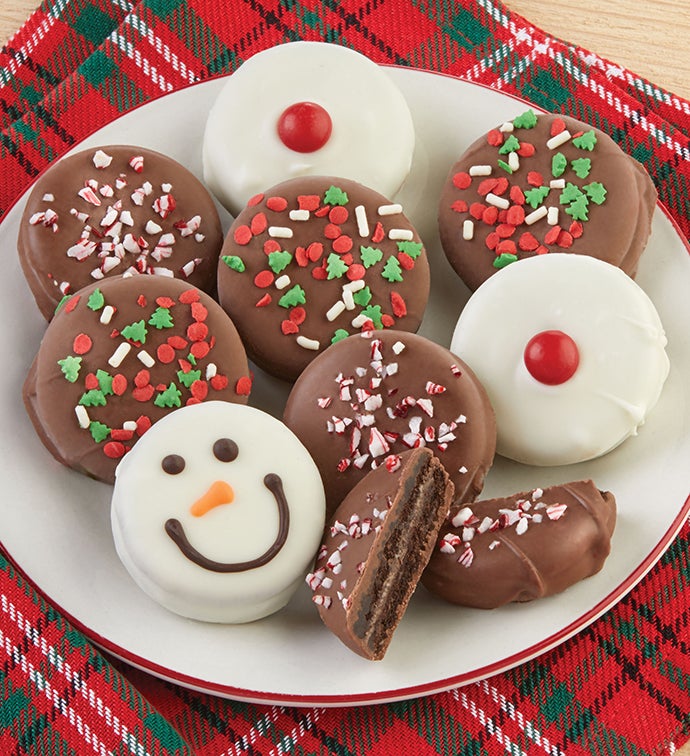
(394, 694)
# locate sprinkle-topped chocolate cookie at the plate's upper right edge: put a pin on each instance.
(543, 183)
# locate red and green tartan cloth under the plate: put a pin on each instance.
(622, 685)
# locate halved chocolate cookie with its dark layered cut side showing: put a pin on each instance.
(376, 547)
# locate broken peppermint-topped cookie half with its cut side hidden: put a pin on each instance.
(521, 547)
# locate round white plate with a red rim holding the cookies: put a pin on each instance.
(55, 523)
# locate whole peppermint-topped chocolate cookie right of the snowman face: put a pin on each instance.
(371, 396)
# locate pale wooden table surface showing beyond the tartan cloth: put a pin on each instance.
(656, 47)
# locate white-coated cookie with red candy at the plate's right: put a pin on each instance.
(571, 352)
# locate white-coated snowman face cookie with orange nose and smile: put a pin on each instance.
(217, 512)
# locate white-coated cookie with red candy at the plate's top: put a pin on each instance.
(306, 108)
